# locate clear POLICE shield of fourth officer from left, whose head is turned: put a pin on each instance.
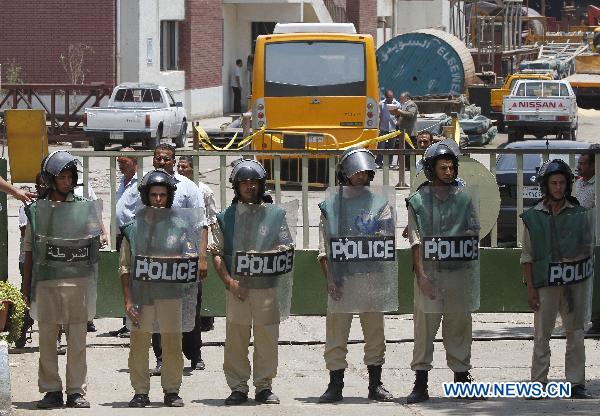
(360, 241)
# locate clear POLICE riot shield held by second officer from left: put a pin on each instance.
(164, 268)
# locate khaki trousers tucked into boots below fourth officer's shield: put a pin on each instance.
(337, 330)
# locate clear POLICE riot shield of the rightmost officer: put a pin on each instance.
(568, 267)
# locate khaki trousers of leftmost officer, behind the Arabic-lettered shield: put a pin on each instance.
(62, 302)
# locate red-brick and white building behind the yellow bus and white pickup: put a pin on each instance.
(190, 46)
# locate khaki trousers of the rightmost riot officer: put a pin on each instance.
(571, 302)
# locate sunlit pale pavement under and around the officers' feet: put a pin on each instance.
(501, 353)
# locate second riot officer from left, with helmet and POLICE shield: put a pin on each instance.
(159, 271)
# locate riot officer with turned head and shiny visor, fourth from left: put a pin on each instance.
(356, 217)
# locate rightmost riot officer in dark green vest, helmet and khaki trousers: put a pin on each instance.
(557, 259)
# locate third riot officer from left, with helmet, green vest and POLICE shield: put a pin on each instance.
(252, 227)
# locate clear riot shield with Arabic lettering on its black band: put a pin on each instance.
(66, 241)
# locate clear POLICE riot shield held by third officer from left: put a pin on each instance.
(263, 262)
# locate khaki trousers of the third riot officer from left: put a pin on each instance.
(258, 313)
